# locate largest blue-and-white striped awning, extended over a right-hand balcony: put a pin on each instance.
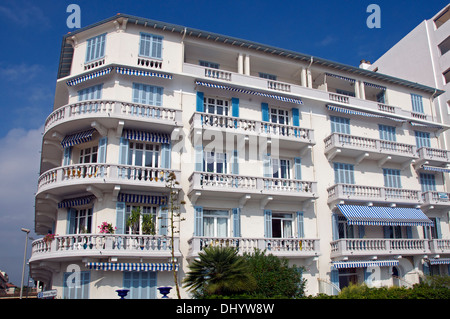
(384, 216)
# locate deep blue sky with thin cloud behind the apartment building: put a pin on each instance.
(31, 40)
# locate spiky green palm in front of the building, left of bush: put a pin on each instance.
(219, 270)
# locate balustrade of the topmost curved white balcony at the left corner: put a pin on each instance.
(108, 108)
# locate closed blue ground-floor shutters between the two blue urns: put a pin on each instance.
(142, 284)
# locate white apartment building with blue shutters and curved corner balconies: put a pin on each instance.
(339, 169)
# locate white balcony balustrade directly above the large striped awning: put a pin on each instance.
(363, 193)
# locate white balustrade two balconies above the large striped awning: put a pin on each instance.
(369, 144)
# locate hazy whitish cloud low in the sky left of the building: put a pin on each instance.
(19, 158)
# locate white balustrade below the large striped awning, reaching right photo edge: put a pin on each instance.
(381, 246)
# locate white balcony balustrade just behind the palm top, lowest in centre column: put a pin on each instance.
(294, 247)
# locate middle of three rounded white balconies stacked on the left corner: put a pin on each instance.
(70, 178)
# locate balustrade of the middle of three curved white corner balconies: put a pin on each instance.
(103, 173)
